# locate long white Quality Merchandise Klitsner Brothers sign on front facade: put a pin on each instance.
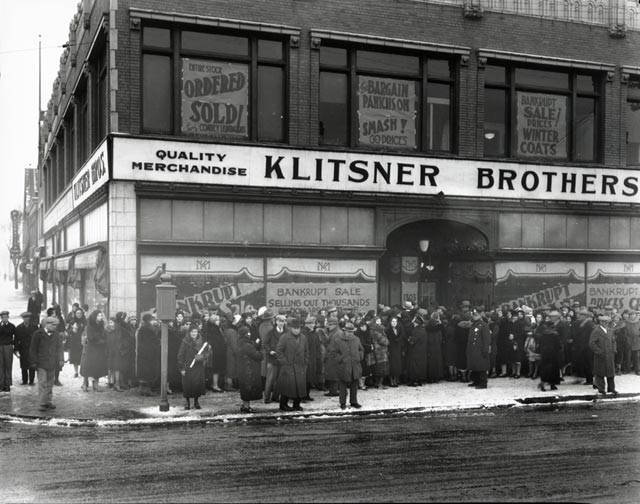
(200, 163)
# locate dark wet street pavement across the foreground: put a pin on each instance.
(586, 454)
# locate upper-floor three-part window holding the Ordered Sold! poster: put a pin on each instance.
(213, 85)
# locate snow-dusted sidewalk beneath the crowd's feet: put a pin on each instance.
(75, 407)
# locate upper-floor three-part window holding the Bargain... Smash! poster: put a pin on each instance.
(385, 100)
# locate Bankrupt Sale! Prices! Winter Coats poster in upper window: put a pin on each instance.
(541, 125)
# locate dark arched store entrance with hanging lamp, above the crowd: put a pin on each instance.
(436, 262)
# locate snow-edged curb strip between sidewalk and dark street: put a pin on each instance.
(544, 403)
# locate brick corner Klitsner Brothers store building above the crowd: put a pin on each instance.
(296, 153)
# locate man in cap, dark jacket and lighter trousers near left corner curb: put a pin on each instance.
(47, 354)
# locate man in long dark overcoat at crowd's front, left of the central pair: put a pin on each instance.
(292, 357)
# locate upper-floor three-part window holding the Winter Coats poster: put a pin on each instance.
(531, 113)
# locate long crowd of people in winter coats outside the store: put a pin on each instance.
(282, 357)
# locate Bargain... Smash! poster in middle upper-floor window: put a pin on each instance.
(387, 112)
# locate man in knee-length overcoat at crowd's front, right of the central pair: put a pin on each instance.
(348, 353)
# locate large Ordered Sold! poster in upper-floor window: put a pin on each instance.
(215, 98)
